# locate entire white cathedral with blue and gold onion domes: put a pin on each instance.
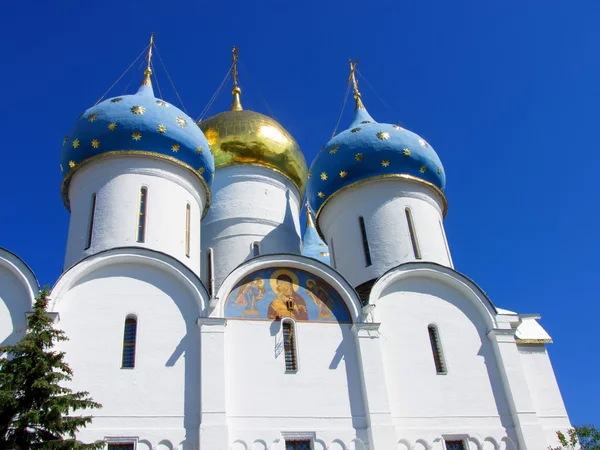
(201, 316)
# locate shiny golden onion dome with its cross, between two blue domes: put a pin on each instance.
(241, 136)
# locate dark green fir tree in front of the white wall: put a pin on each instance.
(36, 410)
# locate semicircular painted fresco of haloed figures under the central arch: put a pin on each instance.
(271, 294)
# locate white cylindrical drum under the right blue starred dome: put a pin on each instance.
(382, 205)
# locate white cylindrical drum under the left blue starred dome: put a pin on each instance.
(117, 182)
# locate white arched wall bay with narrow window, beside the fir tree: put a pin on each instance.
(159, 399)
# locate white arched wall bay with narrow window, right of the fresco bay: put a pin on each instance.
(469, 399)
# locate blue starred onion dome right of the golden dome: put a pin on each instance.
(369, 150)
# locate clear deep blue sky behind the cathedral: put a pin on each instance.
(507, 93)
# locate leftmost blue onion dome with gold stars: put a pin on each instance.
(138, 124)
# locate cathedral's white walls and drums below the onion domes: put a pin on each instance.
(208, 377)
